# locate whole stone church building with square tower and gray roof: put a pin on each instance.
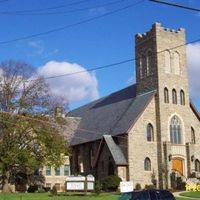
(149, 130)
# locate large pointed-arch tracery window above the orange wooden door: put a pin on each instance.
(175, 130)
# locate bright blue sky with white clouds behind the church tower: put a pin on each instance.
(90, 38)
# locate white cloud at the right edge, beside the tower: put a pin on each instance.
(193, 57)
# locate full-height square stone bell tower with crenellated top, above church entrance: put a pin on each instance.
(161, 66)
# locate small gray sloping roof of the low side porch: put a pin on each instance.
(115, 150)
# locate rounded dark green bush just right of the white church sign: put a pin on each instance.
(111, 183)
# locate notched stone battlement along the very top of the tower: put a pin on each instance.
(157, 27)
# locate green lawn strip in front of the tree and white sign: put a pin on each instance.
(46, 196)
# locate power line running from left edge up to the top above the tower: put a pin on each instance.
(71, 25)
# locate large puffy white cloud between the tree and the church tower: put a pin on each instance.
(71, 87)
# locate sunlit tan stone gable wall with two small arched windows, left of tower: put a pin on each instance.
(139, 148)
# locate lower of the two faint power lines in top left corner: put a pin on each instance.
(61, 12)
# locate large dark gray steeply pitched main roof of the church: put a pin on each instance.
(110, 115)
